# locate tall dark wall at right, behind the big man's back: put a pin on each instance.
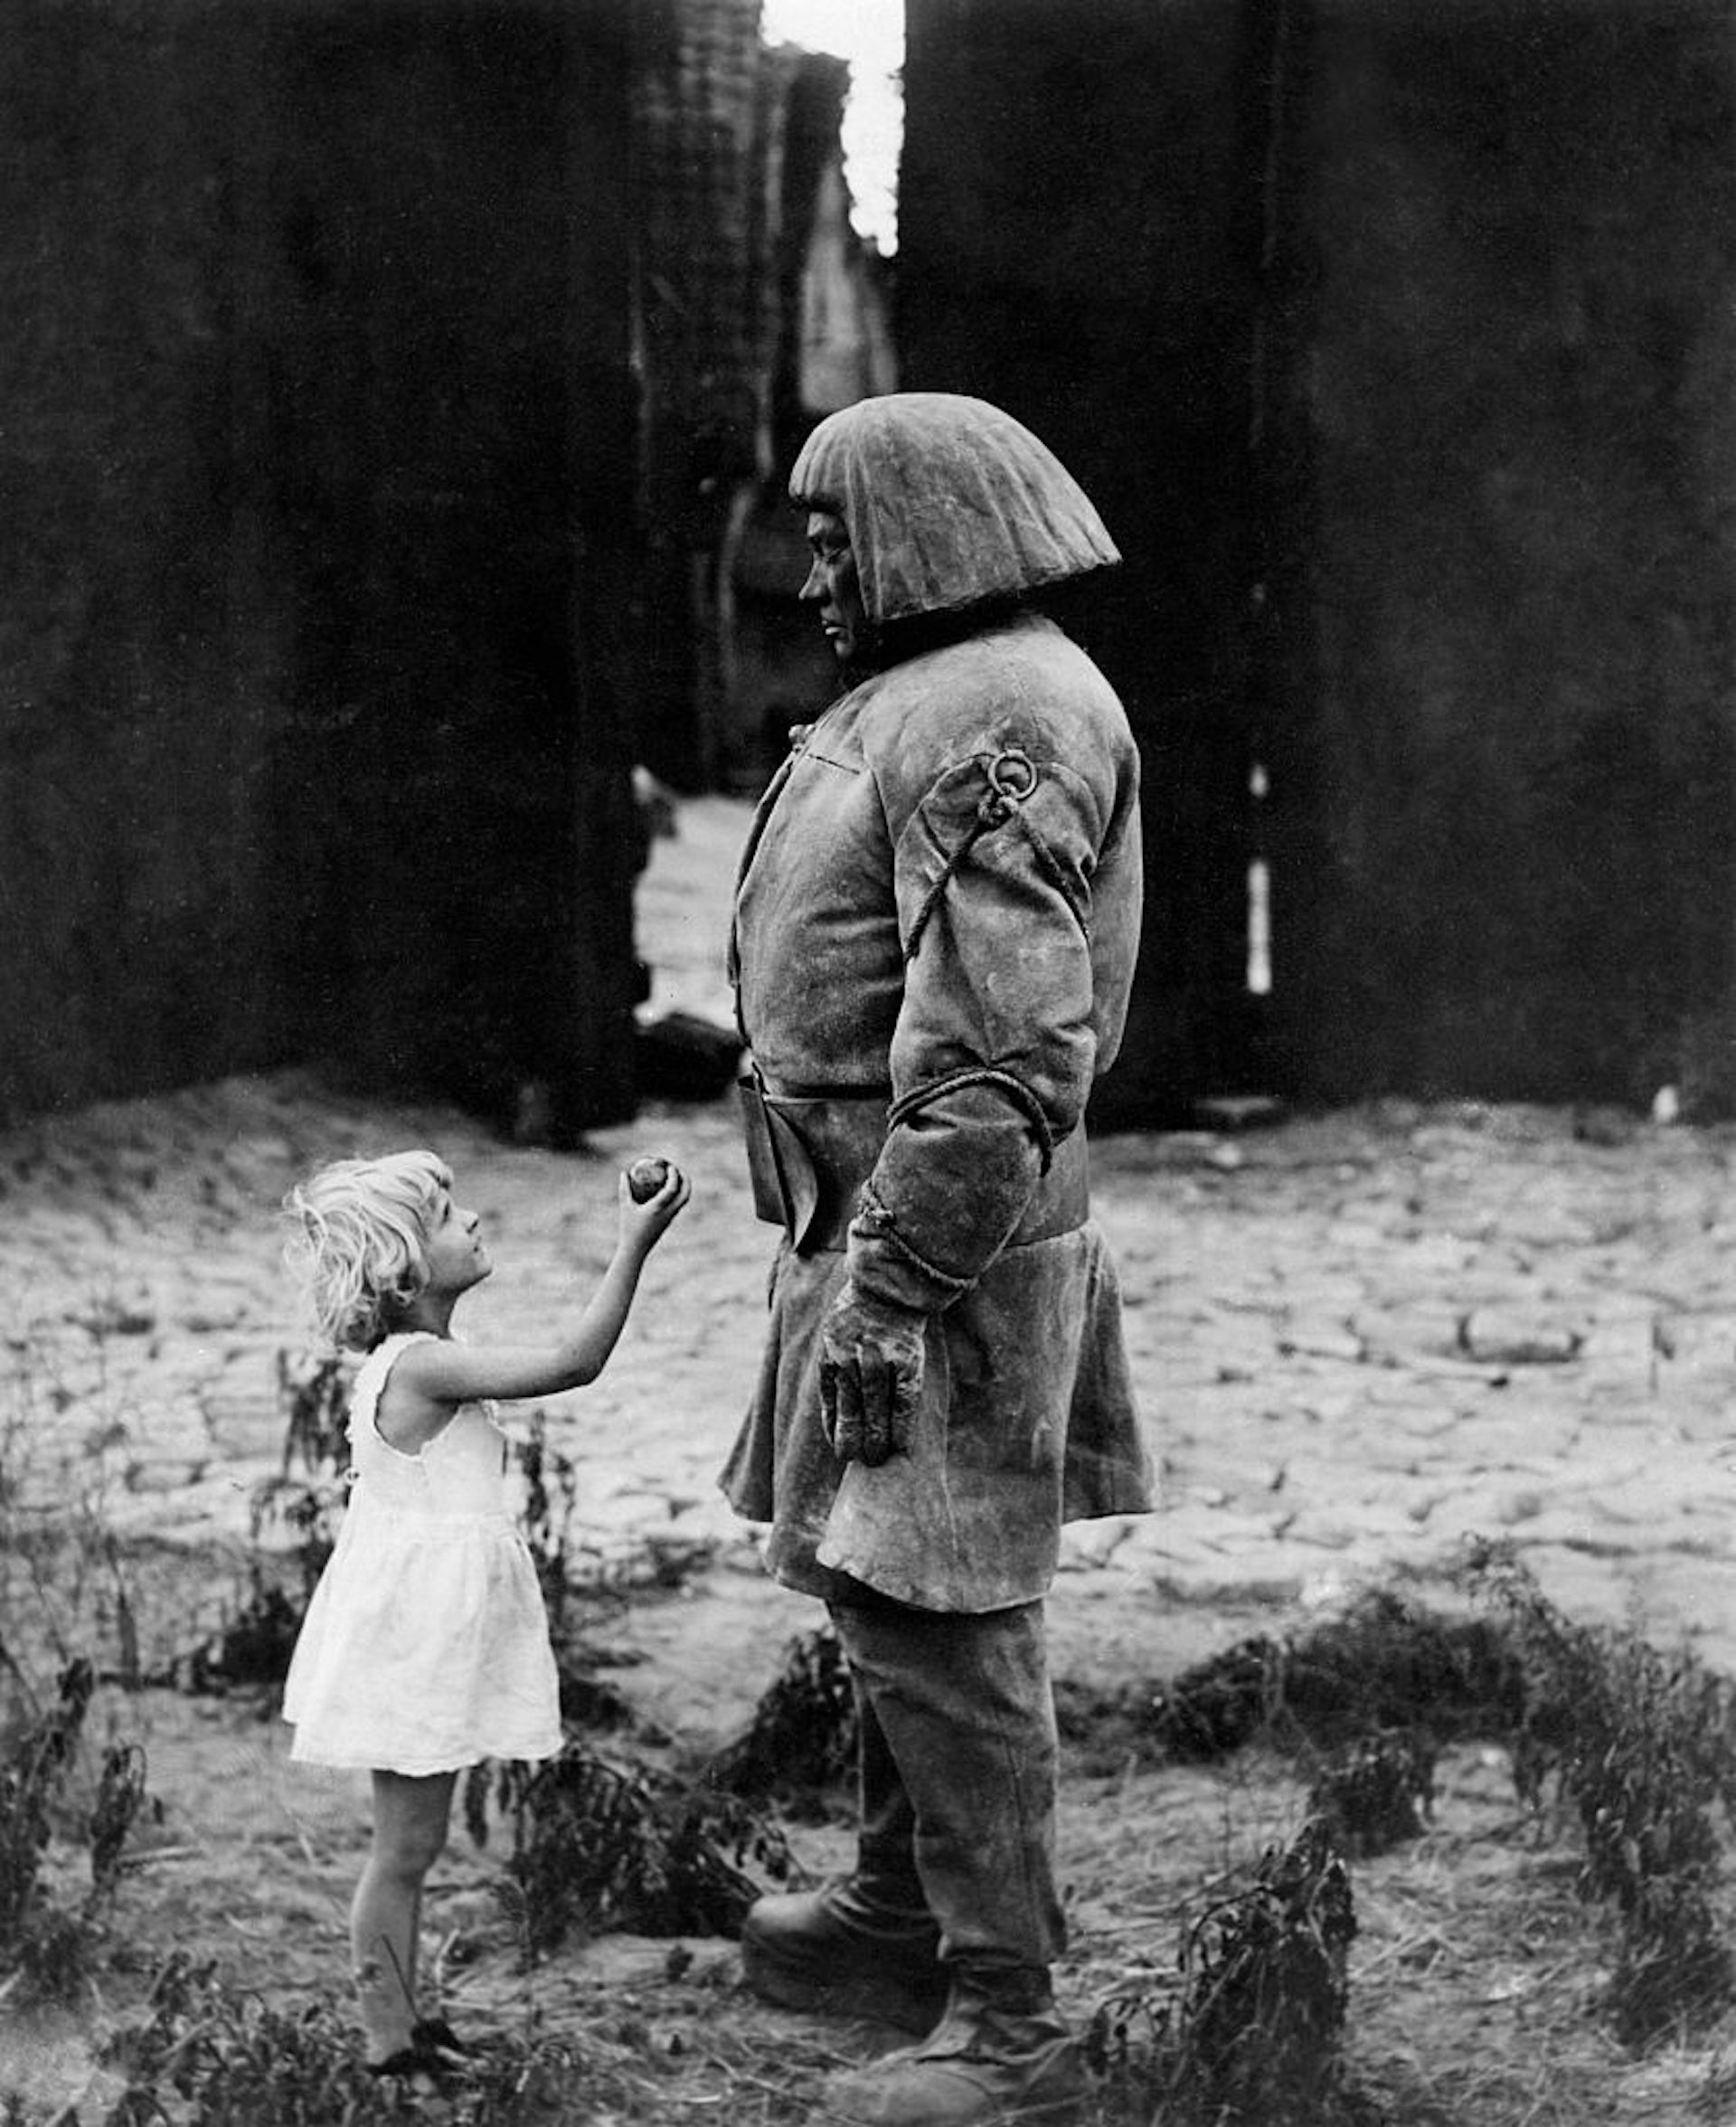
(1395, 339)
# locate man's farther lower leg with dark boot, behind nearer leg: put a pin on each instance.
(863, 1947)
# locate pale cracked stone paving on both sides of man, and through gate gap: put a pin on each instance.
(1358, 1337)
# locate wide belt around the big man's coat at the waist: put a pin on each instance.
(809, 1156)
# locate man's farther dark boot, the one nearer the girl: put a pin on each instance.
(841, 1956)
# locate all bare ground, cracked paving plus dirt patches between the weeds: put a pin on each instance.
(1358, 1341)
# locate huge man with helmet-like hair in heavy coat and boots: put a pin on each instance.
(935, 935)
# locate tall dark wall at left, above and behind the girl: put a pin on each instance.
(312, 728)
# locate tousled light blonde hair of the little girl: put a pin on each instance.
(363, 1243)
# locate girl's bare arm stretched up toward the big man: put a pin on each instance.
(444, 1373)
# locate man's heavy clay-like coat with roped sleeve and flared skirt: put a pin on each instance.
(939, 911)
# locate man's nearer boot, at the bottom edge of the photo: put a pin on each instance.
(999, 2058)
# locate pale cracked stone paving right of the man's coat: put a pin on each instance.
(1367, 1337)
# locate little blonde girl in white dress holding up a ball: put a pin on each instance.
(427, 1645)
